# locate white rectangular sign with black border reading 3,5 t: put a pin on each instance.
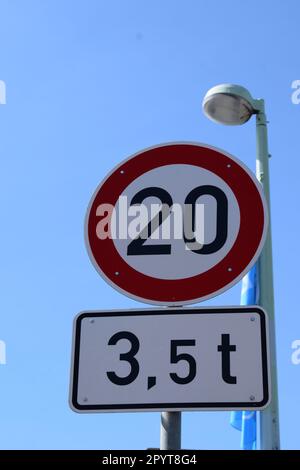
(170, 359)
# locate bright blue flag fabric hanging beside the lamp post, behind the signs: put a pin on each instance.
(245, 421)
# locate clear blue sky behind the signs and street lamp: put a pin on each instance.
(89, 83)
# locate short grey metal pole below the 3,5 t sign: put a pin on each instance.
(170, 430)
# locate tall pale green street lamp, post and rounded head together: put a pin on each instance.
(232, 105)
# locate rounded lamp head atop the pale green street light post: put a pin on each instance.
(228, 104)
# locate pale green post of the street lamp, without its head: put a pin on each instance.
(269, 418)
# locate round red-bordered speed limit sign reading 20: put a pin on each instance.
(176, 223)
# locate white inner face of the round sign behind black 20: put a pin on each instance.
(179, 181)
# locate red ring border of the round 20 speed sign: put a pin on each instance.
(243, 254)
